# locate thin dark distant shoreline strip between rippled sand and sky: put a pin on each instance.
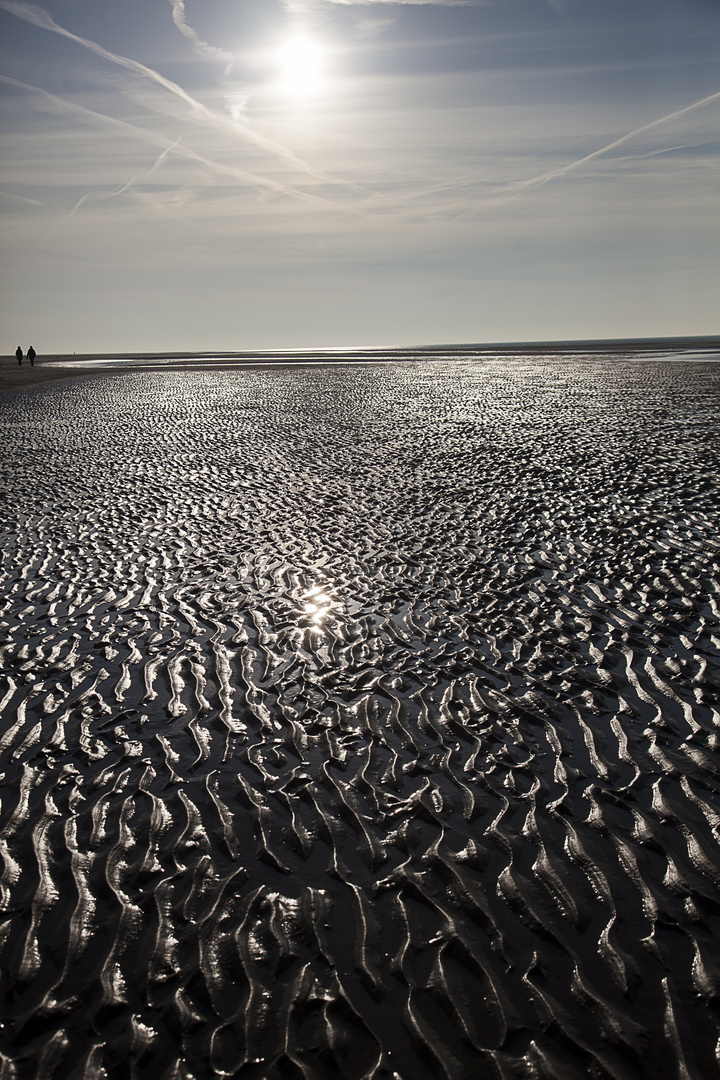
(61, 367)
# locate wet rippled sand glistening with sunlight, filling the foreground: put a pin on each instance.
(362, 723)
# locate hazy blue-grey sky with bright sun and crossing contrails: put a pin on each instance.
(256, 174)
